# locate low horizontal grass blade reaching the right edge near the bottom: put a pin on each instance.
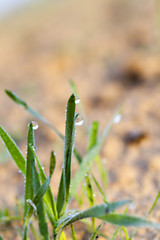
(127, 220)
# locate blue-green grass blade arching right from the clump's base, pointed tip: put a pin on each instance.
(96, 211)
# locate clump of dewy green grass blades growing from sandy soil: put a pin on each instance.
(52, 213)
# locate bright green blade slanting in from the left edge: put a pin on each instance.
(13, 150)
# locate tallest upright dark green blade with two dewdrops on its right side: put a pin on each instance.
(64, 187)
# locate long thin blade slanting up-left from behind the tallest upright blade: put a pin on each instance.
(22, 103)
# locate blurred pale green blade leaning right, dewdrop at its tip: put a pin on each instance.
(89, 158)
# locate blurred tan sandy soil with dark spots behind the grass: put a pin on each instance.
(110, 49)
